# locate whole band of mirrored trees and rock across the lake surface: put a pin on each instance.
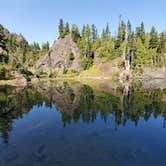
(76, 101)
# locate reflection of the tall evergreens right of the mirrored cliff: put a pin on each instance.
(136, 104)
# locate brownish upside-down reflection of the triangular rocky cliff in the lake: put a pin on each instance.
(65, 97)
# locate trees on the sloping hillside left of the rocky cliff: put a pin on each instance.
(17, 54)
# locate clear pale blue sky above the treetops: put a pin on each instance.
(38, 20)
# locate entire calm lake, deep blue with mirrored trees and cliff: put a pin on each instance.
(73, 124)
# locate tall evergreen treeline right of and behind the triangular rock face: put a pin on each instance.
(138, 47)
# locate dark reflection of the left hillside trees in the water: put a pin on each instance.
(14, 104)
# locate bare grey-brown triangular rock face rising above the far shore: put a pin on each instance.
(59, 56)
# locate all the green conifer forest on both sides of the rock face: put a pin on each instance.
(135, 45)
